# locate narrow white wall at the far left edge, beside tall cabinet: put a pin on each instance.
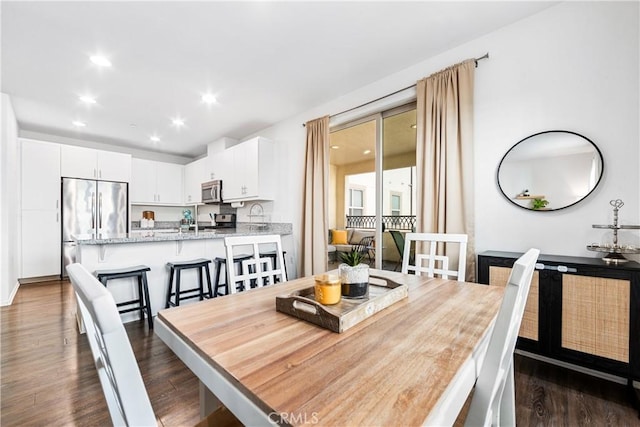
(9, 203)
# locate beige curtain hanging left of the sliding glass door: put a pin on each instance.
(314, 215)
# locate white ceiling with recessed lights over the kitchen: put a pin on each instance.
(264, 61)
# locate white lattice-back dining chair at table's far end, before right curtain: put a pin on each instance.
(428, 259)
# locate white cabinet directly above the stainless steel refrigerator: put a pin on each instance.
(87, 163)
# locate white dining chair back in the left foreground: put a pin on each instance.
(120, 377)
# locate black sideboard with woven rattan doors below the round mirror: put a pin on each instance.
(580, 310)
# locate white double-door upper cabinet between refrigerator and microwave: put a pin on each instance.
(156, 183)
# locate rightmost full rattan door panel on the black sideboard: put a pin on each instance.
(595, 316)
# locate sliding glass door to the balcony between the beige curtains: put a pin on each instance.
(372, 176)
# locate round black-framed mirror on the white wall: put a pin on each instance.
(550, 170)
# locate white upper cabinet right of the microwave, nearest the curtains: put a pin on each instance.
(251, 173)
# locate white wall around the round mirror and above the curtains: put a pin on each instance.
(572, 67)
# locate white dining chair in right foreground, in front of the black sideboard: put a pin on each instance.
(493, 401)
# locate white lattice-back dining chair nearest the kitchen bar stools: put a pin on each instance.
(262, 266)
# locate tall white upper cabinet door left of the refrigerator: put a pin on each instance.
(40, 175)
